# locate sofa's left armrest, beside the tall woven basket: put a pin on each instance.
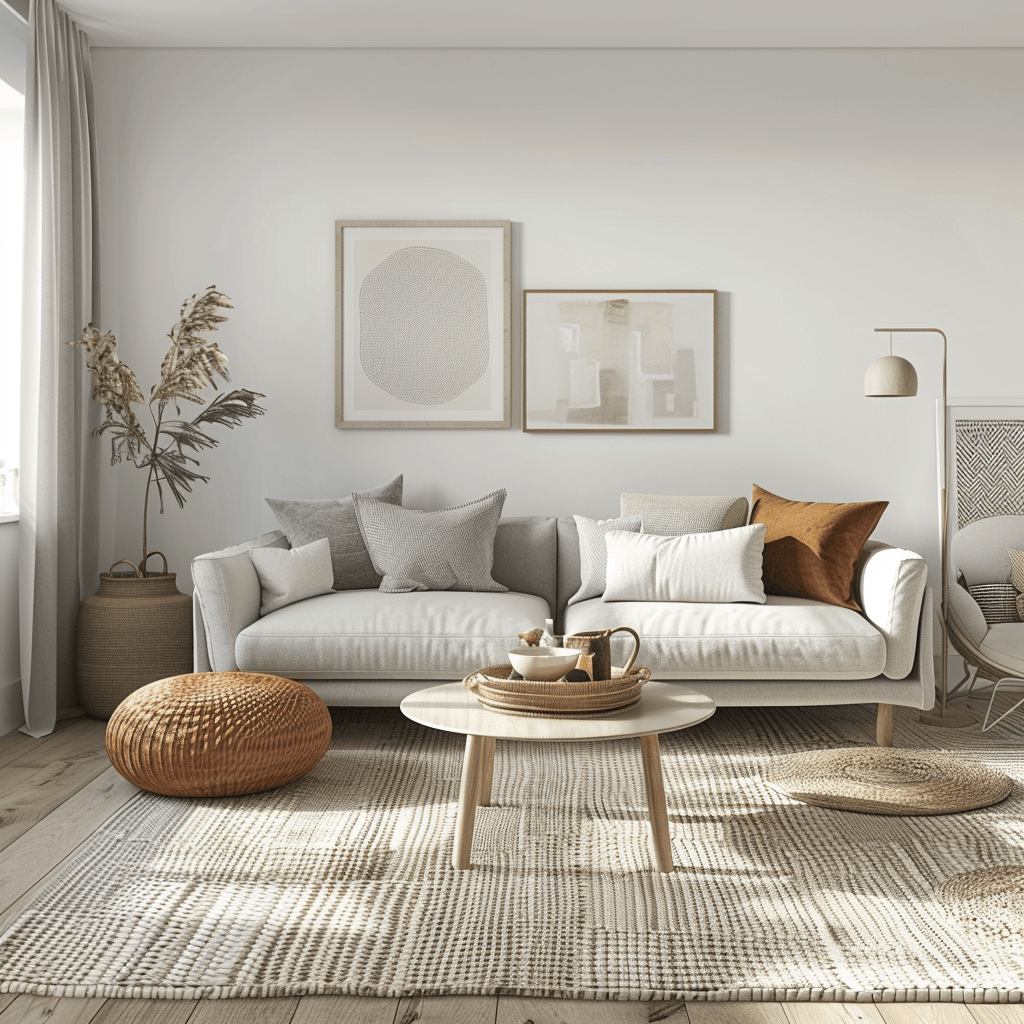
(229, 594)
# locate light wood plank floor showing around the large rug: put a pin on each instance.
(56, 792)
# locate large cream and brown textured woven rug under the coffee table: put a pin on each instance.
(343, 883)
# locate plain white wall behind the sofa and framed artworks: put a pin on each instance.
(824, 193)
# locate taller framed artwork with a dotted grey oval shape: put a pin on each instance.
(423, 323)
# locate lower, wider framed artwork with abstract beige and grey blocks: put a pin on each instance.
(638, 361)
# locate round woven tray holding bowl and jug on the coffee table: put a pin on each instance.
(539, 699)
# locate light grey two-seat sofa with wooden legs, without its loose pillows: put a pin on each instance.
(365, 648)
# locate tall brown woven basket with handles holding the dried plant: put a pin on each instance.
(136, 630)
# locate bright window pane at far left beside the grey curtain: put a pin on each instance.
(12, 183)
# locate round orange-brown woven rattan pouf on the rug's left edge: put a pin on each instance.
(218, 735)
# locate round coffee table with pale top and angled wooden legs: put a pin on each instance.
(665, 708)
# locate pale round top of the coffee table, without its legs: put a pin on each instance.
(664, 708)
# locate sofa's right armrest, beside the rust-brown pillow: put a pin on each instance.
(891, 583)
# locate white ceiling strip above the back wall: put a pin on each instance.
(551, 23)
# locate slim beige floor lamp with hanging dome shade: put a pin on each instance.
(893, 377)
